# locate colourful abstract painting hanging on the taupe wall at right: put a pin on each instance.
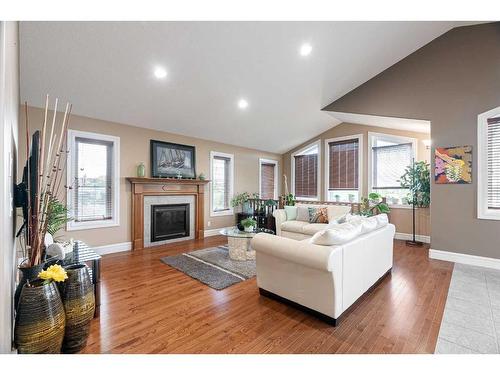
(453, 165)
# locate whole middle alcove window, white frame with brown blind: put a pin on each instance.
(343, 168)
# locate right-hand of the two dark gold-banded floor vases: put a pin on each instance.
(77, 293)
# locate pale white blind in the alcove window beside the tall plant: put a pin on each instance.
(389, 164)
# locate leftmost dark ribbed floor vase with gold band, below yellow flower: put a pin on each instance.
(40, 319)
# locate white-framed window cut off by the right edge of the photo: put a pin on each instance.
(489, 165)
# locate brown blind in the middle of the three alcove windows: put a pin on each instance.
(343, 165)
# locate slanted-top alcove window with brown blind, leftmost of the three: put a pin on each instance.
(305, 172)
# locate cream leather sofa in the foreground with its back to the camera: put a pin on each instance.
(324, 280)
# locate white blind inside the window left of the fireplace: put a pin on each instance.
(93, 164)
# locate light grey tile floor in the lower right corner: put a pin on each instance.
(471, 320)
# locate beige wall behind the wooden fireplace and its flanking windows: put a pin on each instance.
(134, 148)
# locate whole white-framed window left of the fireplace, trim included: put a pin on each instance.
(94, 177)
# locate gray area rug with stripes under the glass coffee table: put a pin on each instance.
(212, 267)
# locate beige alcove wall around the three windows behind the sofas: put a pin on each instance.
(401, 217)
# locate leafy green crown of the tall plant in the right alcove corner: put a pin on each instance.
(417, 179)
